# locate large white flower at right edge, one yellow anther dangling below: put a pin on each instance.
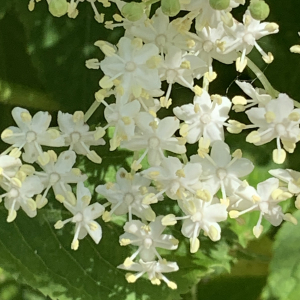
(277, 120)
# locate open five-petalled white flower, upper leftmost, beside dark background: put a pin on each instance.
(31, 133)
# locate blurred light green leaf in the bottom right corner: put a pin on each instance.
(283, 281)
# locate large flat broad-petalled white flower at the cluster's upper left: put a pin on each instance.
(131, 65)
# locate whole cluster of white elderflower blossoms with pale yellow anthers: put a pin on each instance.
(208, 186)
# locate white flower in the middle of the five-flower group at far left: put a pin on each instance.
(58, 173)
